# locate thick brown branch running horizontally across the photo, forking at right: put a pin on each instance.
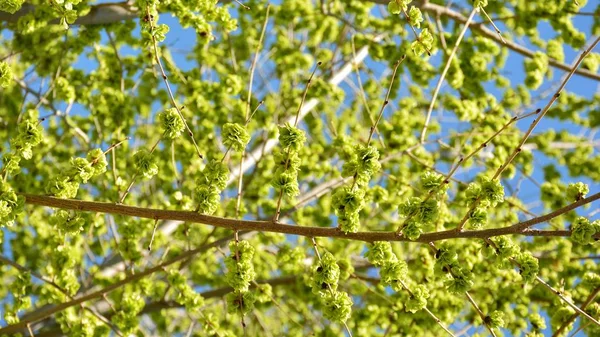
(521, 228)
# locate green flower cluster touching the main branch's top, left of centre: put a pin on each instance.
(210, 183)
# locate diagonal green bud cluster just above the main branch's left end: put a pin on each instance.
(66, 184)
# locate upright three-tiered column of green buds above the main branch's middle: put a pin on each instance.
(287, 161)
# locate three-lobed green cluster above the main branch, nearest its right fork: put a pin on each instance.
(485, 194)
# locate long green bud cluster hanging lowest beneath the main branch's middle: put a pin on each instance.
(337, 305)
